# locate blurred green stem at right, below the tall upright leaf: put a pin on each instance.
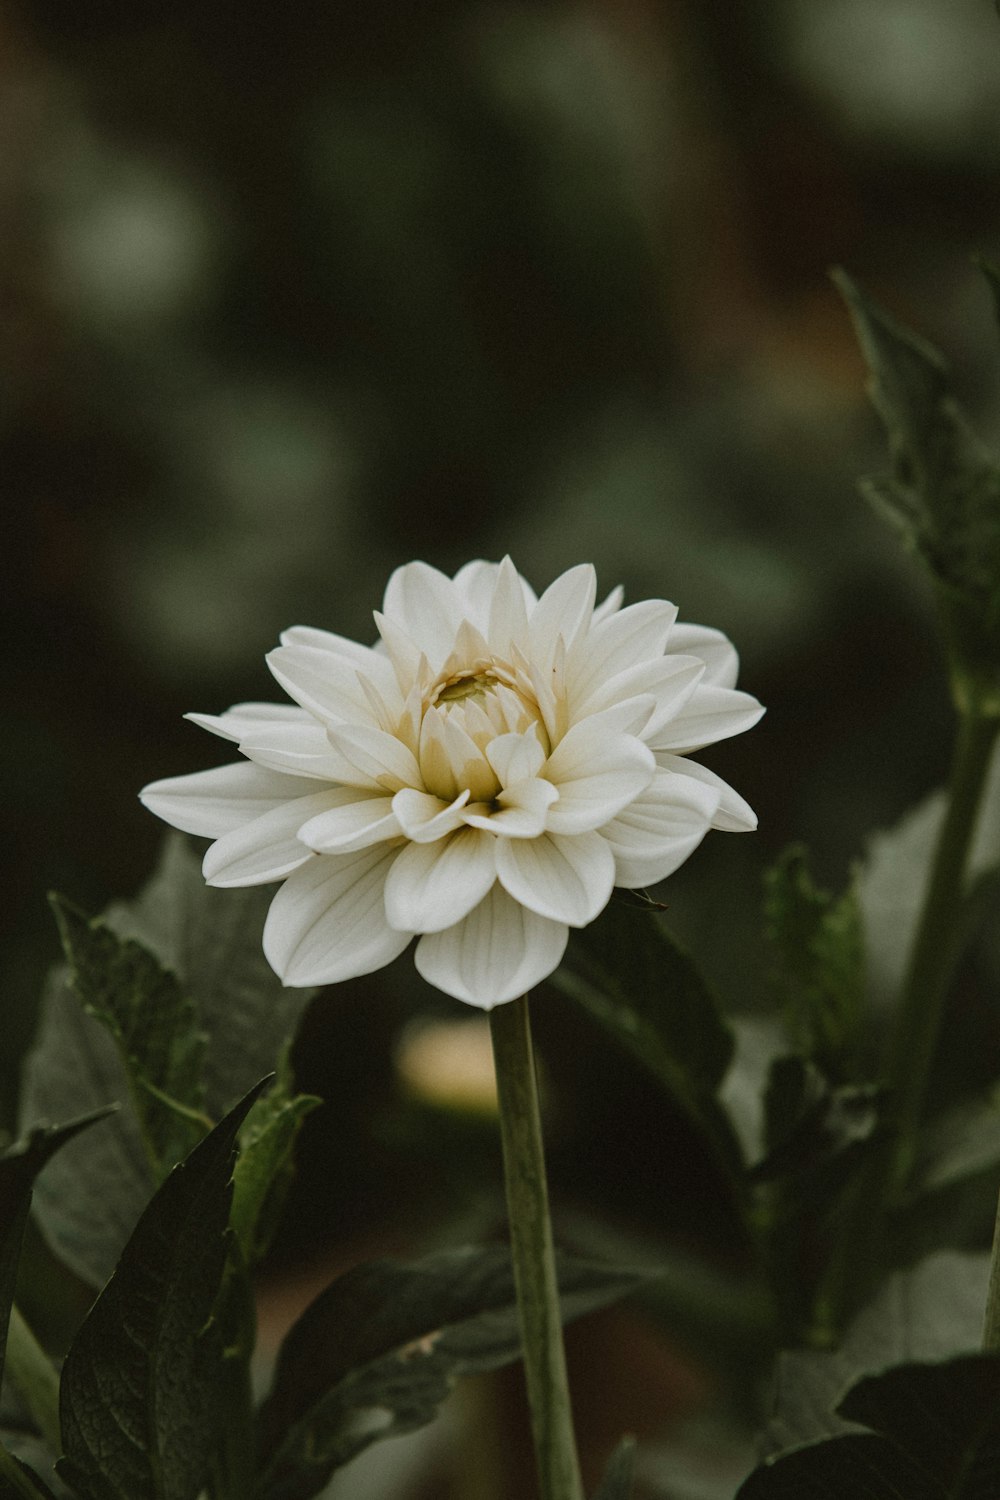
(938, 943)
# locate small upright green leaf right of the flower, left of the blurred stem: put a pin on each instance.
(819, 952)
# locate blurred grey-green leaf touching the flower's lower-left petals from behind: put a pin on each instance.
(212, 941)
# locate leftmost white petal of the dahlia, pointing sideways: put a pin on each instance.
(214, 803)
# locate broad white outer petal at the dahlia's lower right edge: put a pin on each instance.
(660, 829)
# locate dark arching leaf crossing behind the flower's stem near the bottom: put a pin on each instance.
(382, 1348)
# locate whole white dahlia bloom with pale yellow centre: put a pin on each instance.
(481, 779)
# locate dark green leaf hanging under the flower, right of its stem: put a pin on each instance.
(644, 989)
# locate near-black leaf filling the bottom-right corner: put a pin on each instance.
(936, 1436)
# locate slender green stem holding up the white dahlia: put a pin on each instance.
(533, 1255)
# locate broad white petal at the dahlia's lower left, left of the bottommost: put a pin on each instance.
(328, 923)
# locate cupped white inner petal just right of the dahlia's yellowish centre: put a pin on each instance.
(597, 775)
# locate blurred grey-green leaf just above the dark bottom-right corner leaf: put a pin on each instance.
(933, 1312)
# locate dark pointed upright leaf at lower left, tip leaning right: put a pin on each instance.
(143, 1373)
